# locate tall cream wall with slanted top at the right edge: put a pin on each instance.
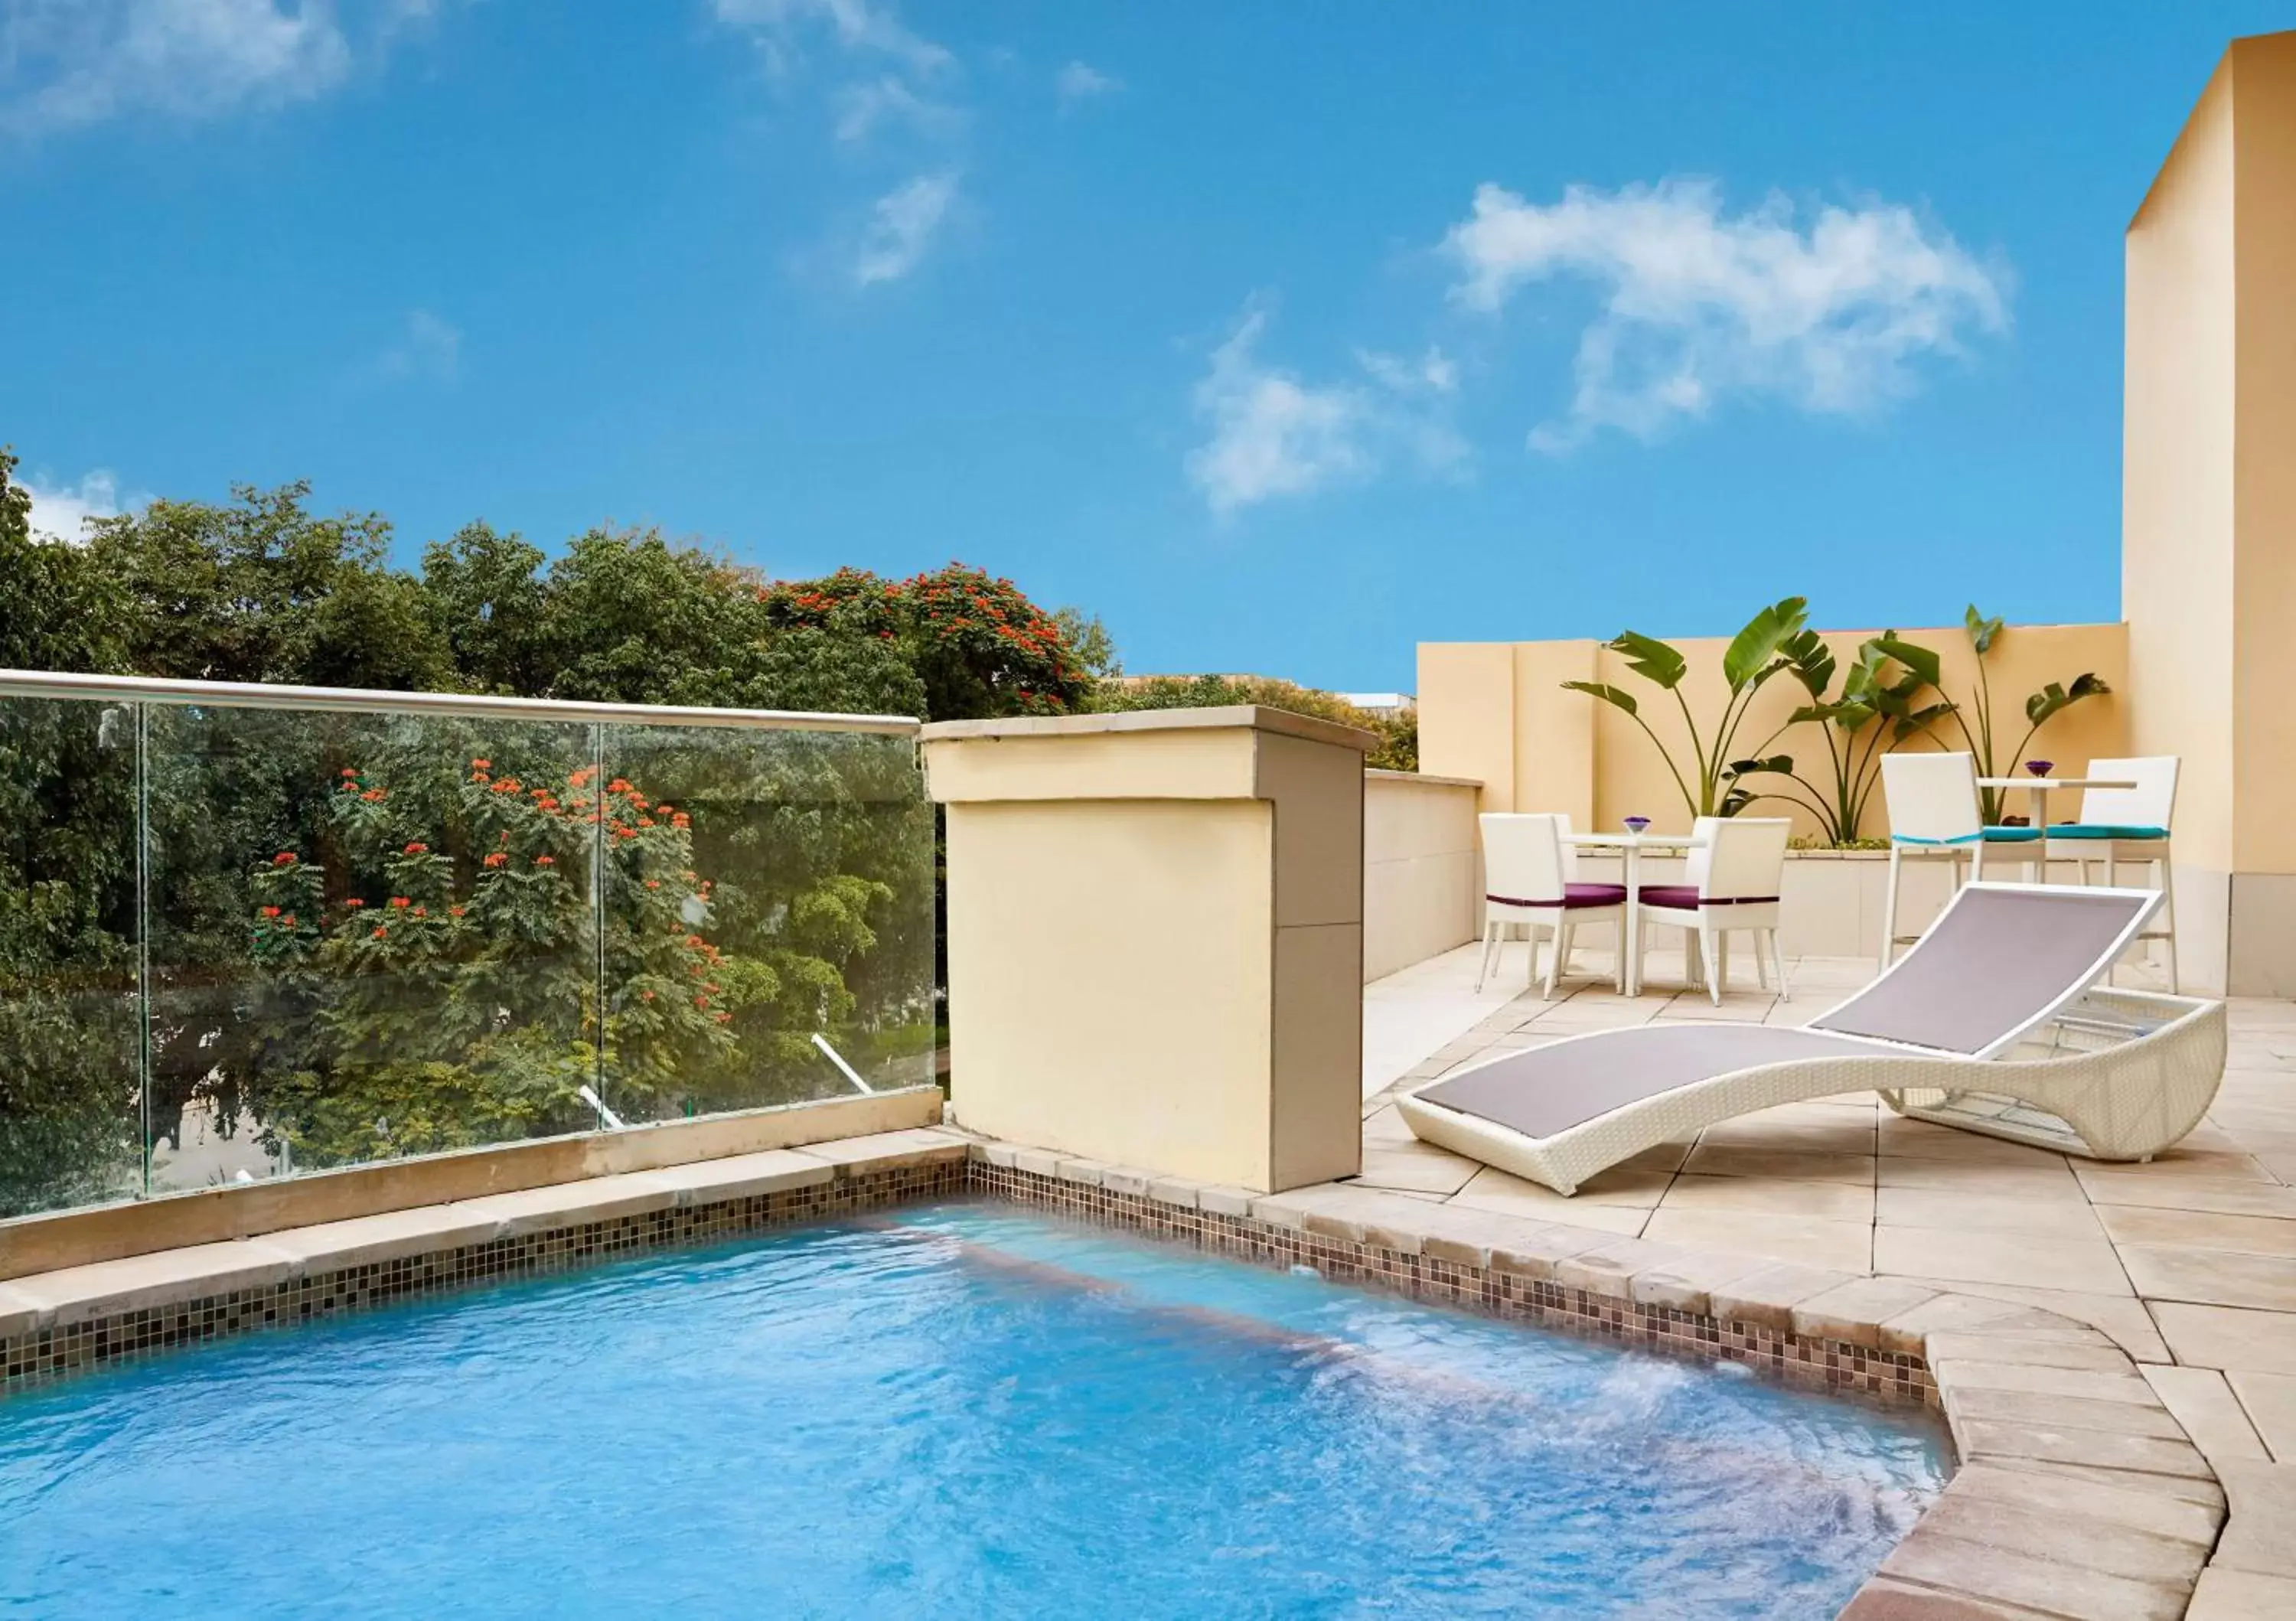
(2210, 511)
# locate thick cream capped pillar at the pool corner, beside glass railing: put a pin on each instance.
(1156, 938)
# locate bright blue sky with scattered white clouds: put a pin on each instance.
(1278, 336)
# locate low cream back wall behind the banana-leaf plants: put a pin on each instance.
(1512, 722)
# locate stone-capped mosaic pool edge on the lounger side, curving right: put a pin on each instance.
(2077, 1496)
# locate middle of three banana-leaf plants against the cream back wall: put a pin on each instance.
(1877, 711)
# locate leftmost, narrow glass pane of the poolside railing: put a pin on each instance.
(70, 1018)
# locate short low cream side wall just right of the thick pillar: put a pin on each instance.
(1422, 892)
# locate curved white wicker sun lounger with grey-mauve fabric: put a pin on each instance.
(1996, 1023)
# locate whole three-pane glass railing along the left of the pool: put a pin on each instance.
(414, 924)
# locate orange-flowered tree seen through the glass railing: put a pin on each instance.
(442, 977)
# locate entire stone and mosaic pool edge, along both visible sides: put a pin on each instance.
(2077, 1491)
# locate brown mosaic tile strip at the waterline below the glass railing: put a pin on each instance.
(63, 1351)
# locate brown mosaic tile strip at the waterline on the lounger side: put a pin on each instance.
(1790, 1358)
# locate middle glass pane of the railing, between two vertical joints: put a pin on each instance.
(373, 936)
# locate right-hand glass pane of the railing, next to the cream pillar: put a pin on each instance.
(768, 917)
